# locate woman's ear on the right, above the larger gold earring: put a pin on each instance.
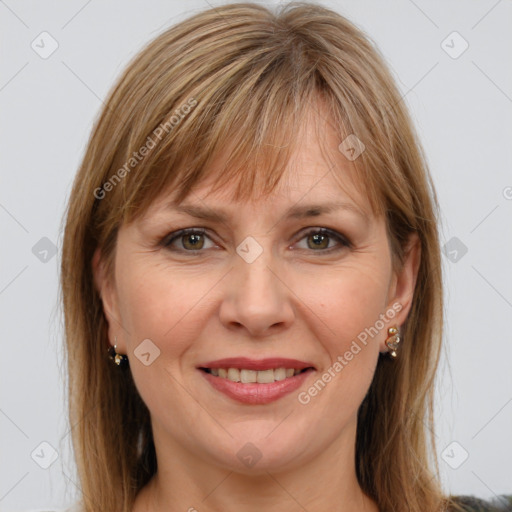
(403, 283)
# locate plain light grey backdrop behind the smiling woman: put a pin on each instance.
(452, 62)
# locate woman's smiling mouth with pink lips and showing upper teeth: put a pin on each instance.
(256, 381)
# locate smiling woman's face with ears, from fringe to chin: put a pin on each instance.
(266, 289)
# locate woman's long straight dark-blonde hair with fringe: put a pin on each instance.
(242, 76)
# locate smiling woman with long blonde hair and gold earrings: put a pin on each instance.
(225, 349)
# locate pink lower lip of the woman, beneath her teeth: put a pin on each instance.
(256, 393)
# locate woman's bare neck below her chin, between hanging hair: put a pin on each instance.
(184, 482)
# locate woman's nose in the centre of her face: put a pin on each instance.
(256, 298)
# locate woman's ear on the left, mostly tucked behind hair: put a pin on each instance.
(107, 291)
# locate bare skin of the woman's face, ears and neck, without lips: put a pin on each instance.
(294, 301)
